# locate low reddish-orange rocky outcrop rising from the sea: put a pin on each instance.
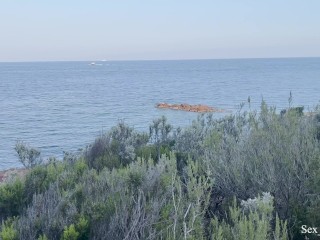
(189, 108)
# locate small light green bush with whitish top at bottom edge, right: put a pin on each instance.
(252, 222)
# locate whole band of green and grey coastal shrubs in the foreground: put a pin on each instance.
(250, 175)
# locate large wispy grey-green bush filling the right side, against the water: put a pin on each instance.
(250, 153)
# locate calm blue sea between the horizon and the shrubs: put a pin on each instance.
(63, 106)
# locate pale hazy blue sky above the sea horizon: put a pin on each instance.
(36, 30)
